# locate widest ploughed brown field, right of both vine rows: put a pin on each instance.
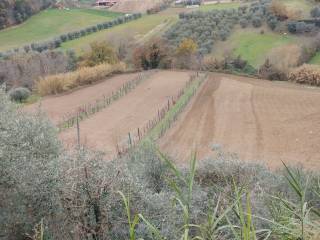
(261, 121)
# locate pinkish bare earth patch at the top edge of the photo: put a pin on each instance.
(135, 5)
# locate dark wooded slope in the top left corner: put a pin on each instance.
(17, 11)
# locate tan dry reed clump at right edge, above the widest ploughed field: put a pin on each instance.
(306, 74)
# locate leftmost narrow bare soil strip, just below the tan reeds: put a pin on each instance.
(57, 107)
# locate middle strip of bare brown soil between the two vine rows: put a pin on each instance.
(104, 130)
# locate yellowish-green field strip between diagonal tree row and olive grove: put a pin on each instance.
(143, 28)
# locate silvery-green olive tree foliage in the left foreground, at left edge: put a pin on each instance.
(29, 169)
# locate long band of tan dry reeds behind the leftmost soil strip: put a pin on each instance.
(59, 83)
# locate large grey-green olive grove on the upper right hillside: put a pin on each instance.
(206, 28)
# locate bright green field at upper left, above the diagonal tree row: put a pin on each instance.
(51, 23)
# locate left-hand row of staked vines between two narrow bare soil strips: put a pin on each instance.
(85, 111)
